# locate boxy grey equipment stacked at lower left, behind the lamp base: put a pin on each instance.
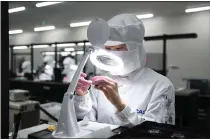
(22, 110)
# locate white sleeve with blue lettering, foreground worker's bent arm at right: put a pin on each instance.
(160, 109)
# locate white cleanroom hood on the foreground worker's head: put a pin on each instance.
(128, 29)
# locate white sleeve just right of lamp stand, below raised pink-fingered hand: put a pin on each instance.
(86, 105)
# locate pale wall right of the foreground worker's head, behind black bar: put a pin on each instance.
(191, 55)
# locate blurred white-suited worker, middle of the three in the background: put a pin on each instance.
(47, 74)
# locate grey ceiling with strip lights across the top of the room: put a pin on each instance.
(62, 14)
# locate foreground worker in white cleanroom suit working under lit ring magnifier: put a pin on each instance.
(135, 93)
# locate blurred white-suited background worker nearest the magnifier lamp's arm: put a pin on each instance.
(69, 69)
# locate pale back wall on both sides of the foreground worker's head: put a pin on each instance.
(191, 55)
